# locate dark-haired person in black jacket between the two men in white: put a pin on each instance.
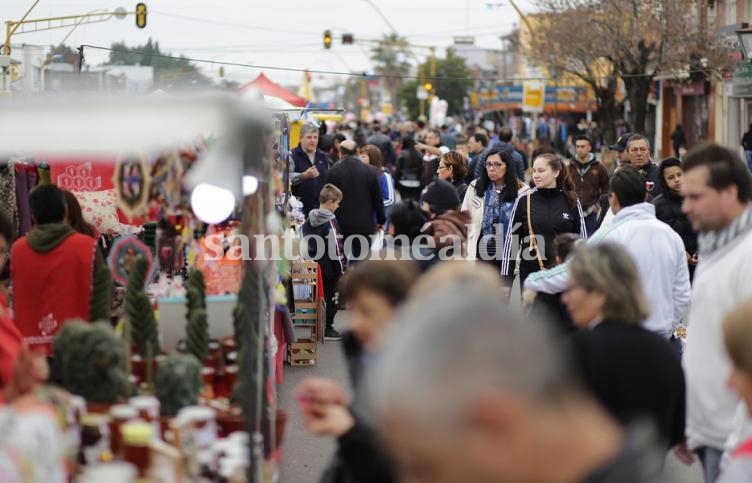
(668, 209)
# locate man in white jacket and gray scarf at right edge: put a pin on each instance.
(716, 188)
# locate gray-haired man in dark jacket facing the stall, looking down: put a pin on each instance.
(308, 166)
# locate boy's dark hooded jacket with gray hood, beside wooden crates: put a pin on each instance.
(323, 224)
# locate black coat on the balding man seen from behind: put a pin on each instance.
(361, 196)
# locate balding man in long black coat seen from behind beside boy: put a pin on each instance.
(361, 212)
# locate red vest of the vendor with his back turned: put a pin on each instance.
(51, 288)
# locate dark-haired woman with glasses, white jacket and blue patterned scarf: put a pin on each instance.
(490, 200)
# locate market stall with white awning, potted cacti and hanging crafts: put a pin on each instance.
(159, 177)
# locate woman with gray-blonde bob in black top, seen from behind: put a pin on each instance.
(634, 373)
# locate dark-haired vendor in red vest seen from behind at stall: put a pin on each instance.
(51, 271)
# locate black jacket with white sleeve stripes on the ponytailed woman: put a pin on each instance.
(551, 214)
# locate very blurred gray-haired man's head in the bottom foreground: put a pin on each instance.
(492, 399)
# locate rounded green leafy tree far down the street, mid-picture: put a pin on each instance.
(451, 84)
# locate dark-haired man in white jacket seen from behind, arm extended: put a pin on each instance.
(656, 249)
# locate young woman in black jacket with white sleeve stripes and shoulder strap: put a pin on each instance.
(554, 209)
